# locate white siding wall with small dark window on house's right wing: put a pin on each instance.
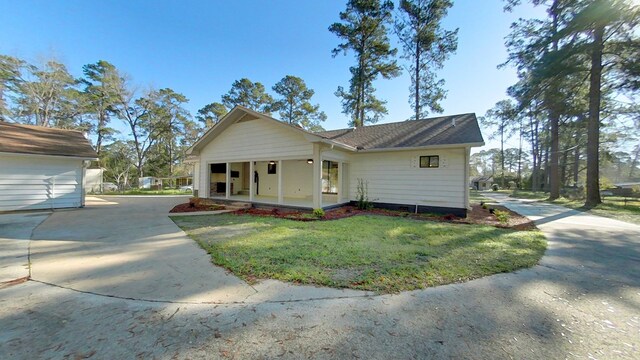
(396, 177)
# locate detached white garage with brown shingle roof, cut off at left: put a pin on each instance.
(42, 168)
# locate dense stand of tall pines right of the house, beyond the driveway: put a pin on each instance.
(575, 104)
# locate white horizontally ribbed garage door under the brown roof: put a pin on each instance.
(29, 182)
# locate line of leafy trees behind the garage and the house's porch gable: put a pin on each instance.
(159, 127)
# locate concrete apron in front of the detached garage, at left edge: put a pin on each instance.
(15, 232)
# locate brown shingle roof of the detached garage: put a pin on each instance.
(40, 140)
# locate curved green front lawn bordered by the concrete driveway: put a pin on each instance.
(377, 253)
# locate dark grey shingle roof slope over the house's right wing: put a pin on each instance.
(410, 134)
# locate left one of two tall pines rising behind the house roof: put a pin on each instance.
(364, 31)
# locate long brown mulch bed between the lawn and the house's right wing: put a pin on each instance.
(477, 215)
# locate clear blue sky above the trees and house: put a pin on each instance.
(199, 48)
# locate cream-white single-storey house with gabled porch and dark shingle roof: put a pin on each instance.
(413, 165)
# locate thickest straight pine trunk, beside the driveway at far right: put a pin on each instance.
(593, 125)
